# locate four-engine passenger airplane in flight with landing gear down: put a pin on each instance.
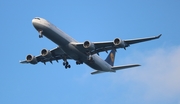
(82, 52)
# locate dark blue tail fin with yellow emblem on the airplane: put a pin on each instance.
(111, 57)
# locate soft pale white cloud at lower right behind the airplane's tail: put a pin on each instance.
(158, 77)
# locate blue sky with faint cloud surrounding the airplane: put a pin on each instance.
(156, 81)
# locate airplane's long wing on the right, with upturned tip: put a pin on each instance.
(109, 45)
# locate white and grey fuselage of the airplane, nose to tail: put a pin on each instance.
(63, 40)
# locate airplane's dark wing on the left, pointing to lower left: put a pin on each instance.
(55, 54)
